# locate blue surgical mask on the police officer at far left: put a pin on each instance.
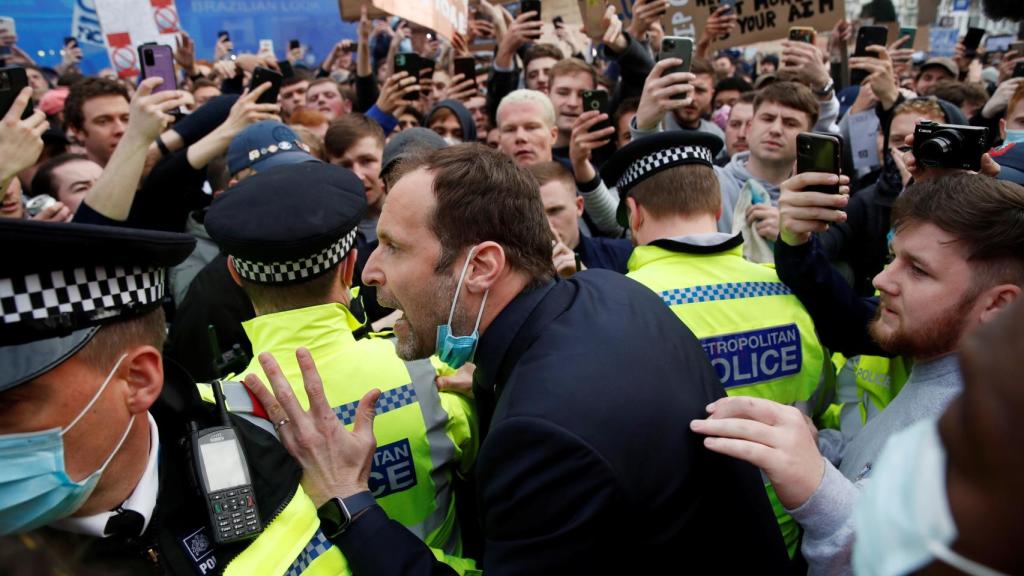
(35, 488)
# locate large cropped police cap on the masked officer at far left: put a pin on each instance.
(60, 283)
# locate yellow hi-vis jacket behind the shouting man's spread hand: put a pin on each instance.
(424, 437)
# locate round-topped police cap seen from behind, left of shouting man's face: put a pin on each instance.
(290, 224)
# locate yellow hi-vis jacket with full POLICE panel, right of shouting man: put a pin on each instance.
(756, 334)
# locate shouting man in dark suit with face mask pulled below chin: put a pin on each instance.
(586, 389)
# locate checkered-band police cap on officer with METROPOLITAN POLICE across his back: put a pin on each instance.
(648, 156)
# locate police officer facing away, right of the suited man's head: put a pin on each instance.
(758, 336)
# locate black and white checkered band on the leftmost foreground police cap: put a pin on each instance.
(70, 300)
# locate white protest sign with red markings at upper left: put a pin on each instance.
(126, 24)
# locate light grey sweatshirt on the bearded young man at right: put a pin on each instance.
(828, 516)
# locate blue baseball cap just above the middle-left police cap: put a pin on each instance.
(265, 146)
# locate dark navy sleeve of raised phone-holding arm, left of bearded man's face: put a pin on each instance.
(841, 317)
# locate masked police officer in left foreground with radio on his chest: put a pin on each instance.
(93, 467)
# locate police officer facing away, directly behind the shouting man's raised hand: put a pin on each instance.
(290, 234)
